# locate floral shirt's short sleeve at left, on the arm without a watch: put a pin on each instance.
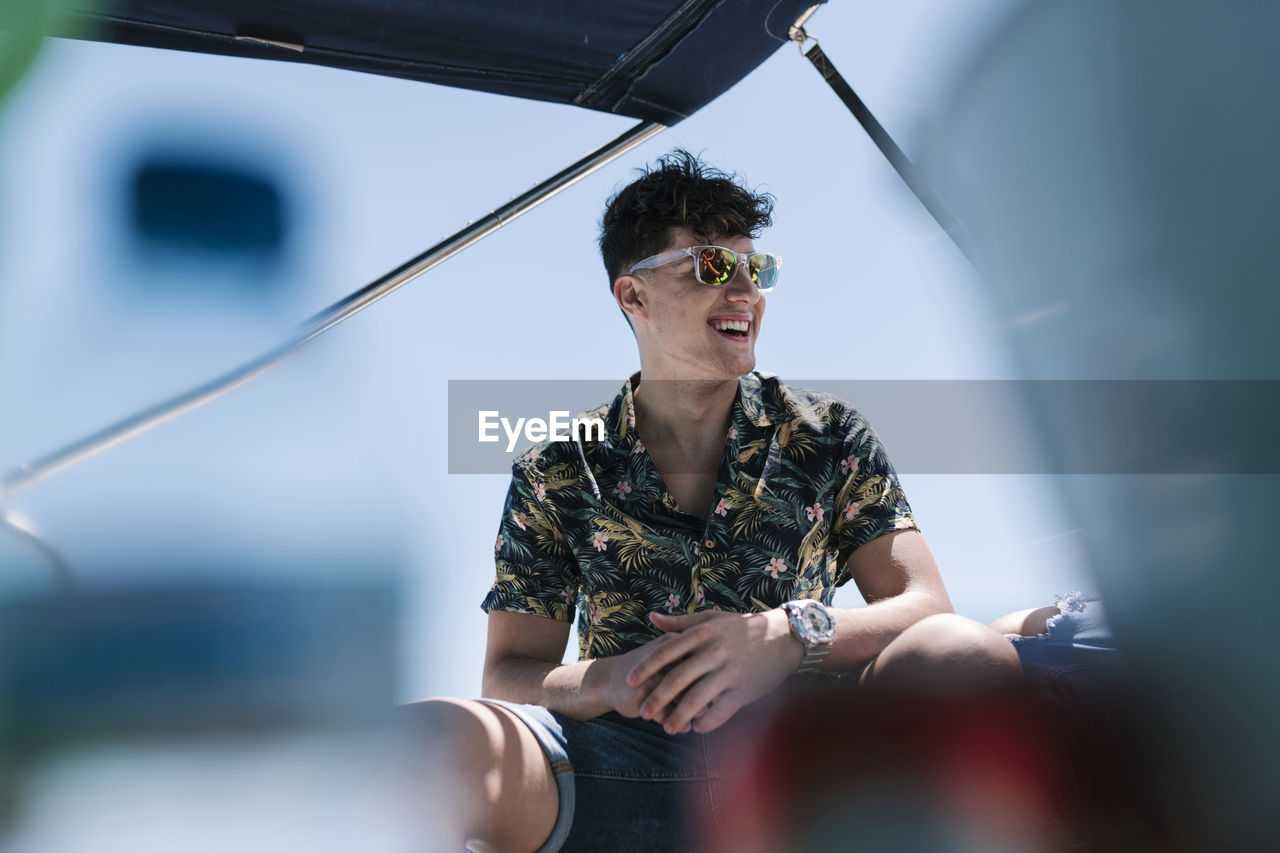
(536, 571)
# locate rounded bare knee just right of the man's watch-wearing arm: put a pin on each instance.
(948, 651)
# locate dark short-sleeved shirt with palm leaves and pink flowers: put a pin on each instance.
(803, 482)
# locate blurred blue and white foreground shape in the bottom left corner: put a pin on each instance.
(205, 717)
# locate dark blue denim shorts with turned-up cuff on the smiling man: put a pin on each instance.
(627, 786)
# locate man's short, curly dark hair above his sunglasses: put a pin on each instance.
(679, 191)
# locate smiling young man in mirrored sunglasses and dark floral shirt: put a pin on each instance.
(702, 541)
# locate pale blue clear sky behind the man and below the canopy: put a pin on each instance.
(342, 451)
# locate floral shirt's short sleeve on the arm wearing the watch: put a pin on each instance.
(870, 501)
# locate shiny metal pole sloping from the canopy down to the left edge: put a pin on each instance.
(25, 476)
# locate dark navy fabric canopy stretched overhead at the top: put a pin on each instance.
(651, 60)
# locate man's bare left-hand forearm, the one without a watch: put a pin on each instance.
(573, 690)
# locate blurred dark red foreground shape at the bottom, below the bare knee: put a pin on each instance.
(857, 769)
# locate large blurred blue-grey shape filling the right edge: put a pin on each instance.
(1116, 166)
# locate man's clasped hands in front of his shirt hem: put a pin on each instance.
(703, 669)
